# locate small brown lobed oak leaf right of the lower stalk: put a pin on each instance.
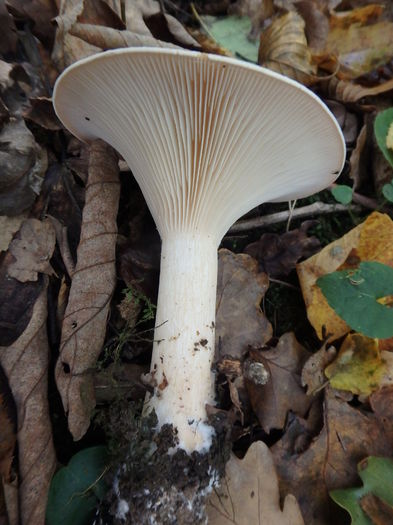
(283, 392)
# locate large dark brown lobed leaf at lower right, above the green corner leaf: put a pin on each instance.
(330, 462)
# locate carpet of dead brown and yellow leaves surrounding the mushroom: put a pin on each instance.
(304, 409)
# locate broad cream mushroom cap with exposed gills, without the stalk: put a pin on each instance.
(207, 137)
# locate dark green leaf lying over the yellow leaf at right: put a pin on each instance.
(353, 296)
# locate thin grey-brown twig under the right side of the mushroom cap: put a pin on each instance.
(317, 208)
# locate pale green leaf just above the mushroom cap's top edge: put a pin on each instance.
(232, 32)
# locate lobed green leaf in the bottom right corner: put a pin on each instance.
(377, 476)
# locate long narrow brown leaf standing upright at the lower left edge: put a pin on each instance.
(25, 363)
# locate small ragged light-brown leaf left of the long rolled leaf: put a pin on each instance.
(32, 249)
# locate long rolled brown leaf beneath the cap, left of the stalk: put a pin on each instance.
(84, 324)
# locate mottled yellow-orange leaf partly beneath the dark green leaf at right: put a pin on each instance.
(370, 241)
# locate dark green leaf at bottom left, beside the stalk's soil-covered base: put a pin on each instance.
(76, 489)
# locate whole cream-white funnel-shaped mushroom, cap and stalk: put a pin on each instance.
(207, 138)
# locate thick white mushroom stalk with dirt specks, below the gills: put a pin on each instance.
(183, 350)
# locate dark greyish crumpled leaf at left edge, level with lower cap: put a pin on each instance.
(23, 164)
